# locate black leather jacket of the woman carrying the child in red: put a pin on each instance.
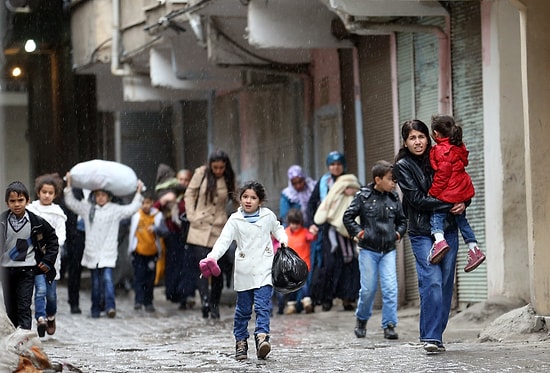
(417, 203)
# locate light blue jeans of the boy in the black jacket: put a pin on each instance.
(372, 265)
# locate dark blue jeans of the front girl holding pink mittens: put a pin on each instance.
(261, 300)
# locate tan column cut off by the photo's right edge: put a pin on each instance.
(536, 80)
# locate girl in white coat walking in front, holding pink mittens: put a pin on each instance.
(251, 227)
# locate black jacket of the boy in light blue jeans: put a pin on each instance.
(381, 216)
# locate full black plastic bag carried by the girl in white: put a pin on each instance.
(289, 272)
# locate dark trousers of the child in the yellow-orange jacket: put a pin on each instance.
(144, 278)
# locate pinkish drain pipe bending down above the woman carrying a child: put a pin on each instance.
(445, 97)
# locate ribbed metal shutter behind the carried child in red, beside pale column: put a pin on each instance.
(468, 111)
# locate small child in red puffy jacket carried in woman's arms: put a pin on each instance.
(451, 183)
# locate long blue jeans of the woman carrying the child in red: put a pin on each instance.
(435, 285)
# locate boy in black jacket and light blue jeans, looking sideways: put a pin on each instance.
(382, 223)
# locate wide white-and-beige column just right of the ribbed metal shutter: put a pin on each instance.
(505, 200)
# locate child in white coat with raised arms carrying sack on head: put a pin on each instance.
(101, 221)
